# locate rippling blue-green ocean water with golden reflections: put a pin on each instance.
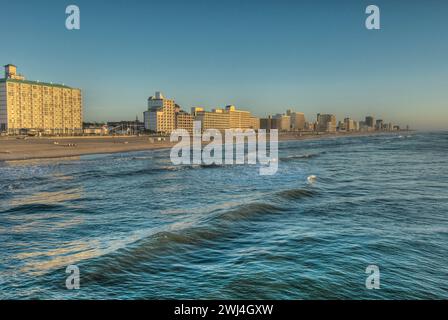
(140, 228)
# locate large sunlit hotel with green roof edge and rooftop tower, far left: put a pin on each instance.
(38, 106)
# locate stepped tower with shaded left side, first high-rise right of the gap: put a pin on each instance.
(160, 116)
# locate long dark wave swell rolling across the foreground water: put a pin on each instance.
(172, 241)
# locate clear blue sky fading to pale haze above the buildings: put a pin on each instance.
(263, 56)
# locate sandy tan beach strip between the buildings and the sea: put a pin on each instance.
(31, 148)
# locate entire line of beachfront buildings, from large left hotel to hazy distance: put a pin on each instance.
(56, 109)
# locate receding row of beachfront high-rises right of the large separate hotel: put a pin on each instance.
(164, 115)
